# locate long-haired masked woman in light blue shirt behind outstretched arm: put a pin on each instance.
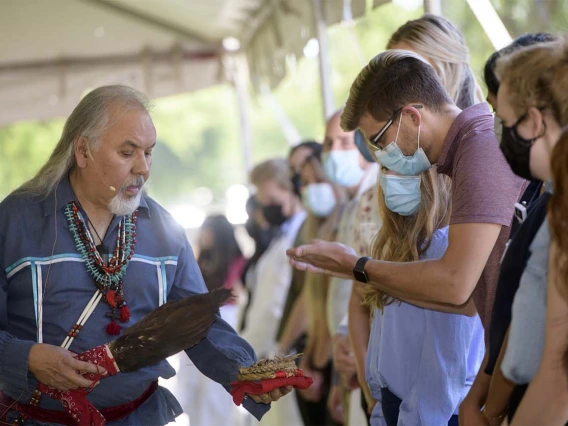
(420, 363)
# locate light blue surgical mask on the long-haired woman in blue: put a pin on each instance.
(402, 193)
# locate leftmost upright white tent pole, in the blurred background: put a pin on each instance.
(238, 74)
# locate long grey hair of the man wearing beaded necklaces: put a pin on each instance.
(96, 112)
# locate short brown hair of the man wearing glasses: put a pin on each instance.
(391, 80)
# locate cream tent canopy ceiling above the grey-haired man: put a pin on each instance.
(53, 52)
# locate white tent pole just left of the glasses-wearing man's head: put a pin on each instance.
(324, 60)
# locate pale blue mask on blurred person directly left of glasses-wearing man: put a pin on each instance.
(342, 167)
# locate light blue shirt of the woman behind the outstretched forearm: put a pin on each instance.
(428, 359)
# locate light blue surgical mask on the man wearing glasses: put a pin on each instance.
(393, 159)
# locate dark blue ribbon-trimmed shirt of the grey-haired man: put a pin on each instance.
(44, 287)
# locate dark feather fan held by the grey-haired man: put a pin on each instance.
(171, 328)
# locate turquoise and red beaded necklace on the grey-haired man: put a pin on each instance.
(108, 277)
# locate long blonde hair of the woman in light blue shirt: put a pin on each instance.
(406, 238)
